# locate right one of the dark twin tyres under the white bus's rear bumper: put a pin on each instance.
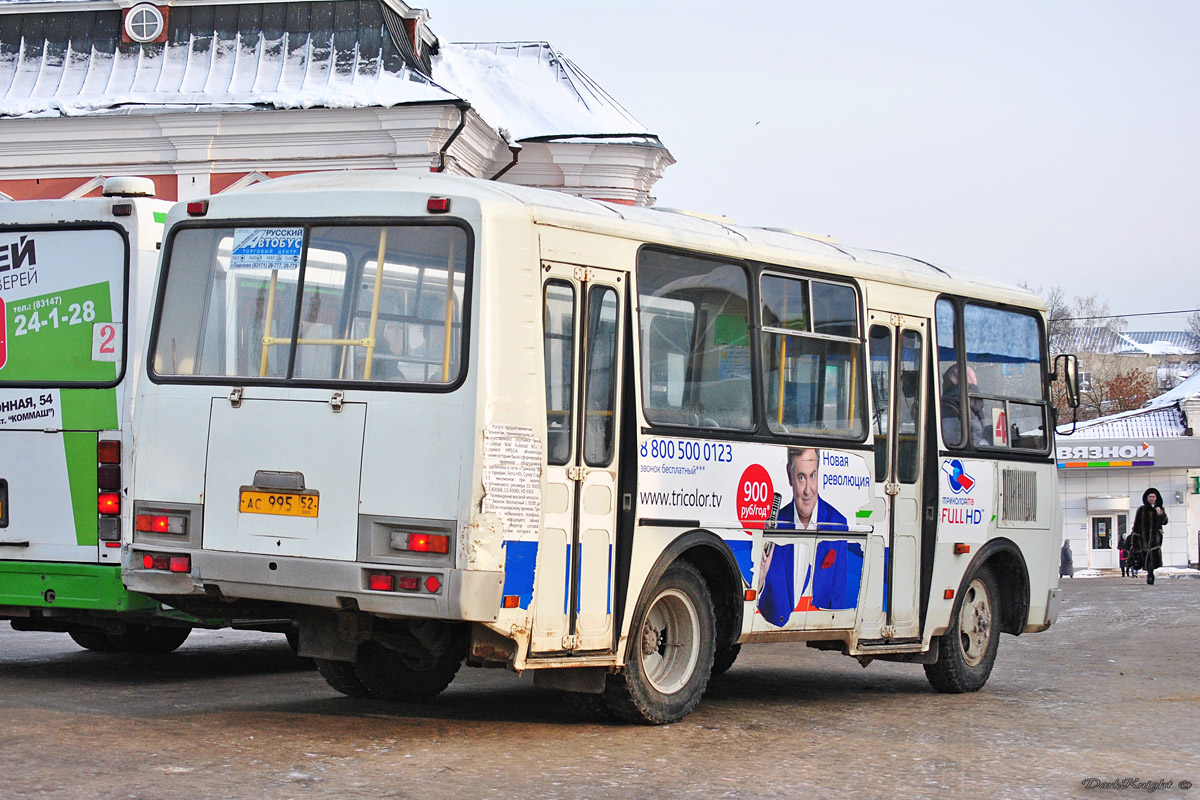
(417, 672)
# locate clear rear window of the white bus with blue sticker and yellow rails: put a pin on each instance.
(311, 304)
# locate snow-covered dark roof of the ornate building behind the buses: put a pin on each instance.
(290, 56)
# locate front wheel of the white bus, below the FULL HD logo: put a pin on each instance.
(968, 649)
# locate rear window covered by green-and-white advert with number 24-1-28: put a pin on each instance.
(63, 306)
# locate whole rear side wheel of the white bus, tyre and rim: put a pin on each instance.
(670, 652)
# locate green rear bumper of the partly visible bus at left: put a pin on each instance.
(79, 587)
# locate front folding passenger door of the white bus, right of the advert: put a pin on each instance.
(898, 346)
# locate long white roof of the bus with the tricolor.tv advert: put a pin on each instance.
(713, 236)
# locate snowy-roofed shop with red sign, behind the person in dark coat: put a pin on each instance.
(1106, 466)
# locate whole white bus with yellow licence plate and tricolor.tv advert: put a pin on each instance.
(439, 420)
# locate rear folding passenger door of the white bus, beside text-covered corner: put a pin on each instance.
(584, 317)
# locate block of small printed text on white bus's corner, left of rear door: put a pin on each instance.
(513, 480)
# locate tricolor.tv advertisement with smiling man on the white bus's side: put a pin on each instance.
(800, 498)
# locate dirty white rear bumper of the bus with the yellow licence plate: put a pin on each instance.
(463, 596)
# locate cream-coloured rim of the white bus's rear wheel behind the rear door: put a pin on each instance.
(670, 642)
